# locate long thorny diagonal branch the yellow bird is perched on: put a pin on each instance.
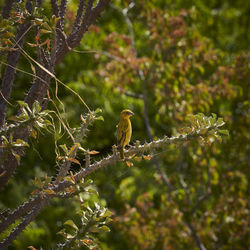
(60, 186)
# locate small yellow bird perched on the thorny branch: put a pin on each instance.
(124, 131)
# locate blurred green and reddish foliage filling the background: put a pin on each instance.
(195, 58)
